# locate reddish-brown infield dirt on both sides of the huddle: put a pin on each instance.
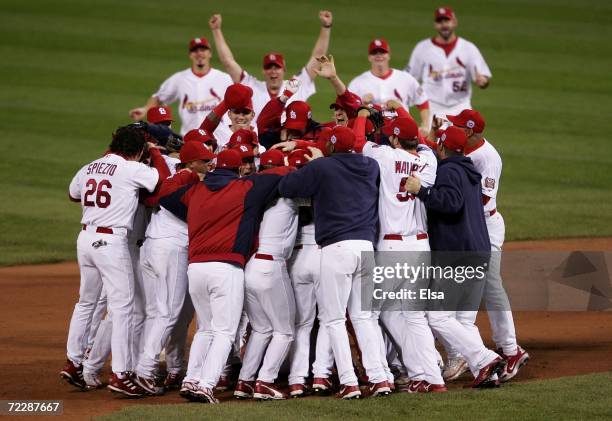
(37, 302)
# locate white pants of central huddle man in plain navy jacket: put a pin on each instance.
(342, 271)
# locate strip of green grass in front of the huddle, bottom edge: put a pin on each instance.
(583, 397)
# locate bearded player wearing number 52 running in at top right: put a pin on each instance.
(446, 65)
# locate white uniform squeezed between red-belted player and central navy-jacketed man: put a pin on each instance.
(305, 274)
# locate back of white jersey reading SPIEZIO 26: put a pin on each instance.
(108, 188)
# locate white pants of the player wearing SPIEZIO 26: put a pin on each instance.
(104, 260)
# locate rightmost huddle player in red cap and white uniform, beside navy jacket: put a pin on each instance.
(487, 161)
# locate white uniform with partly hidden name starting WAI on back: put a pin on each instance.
(403, 227)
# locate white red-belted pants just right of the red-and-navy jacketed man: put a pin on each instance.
(270, 306)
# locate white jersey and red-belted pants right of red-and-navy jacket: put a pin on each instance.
(270, 303)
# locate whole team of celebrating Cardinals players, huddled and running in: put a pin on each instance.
(255, 219)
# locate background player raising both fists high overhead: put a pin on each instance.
(273, 65)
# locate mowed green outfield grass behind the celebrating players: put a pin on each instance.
(71, 70)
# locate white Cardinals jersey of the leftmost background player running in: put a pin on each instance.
(196, 96)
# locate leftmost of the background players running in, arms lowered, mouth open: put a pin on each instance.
(197, 89)
